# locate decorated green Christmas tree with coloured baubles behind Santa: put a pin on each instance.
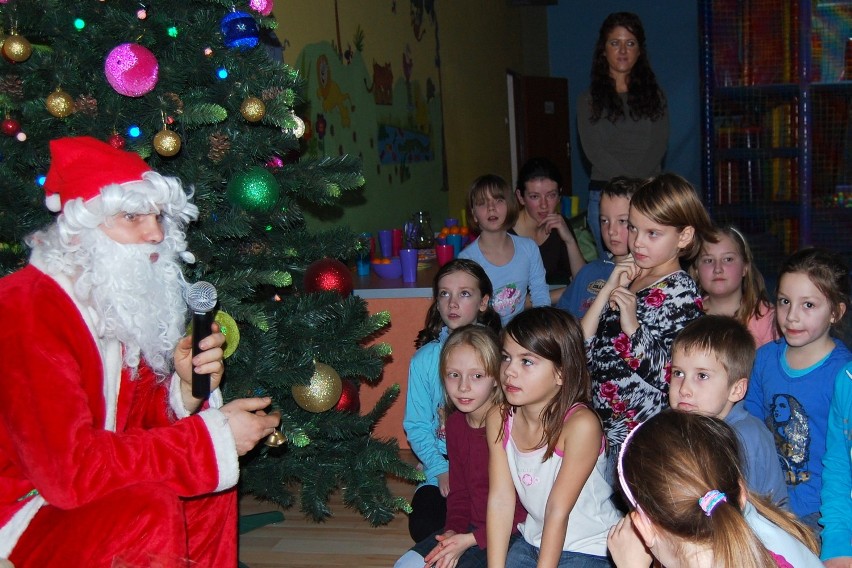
(193, 88)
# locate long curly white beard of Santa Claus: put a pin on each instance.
(140, 302)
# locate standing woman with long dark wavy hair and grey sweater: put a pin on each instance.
(622, 118)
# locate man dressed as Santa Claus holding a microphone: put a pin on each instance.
(106, 458)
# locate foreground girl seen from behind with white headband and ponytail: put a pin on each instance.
(690, 505)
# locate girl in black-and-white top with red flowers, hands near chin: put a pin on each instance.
(647, 300)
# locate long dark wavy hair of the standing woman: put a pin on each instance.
(644, 96)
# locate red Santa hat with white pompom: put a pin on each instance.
(81, 166)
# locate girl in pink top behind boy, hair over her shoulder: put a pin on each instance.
(733, 286)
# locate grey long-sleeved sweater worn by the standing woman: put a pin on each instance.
(632, 148)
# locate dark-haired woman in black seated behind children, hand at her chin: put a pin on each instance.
(539, 189)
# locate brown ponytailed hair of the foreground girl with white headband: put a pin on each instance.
(682, 471)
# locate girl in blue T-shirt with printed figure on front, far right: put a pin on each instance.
(793, 378)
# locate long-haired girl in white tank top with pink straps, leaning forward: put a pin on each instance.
(547, 447)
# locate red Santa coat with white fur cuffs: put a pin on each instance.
(55, 431)
